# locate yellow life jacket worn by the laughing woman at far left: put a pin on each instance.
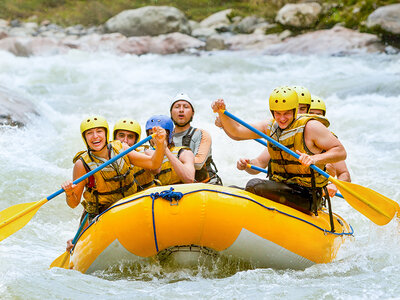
(108, 185)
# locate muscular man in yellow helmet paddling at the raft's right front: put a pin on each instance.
(291, 181)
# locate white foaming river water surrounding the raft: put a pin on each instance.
(362, 94)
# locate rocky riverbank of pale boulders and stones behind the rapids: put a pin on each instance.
(166, 30)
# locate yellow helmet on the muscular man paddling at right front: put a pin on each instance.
(284, 98)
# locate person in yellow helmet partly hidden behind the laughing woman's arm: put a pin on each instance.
(128, 131)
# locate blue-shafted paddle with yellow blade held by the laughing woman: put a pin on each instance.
(17, 216)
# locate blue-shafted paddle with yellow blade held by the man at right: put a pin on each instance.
(376, 207)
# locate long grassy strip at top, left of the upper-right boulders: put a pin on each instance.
(96, 12)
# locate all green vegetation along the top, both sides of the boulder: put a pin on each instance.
(351, 13)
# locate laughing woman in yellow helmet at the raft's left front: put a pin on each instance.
(113, 182)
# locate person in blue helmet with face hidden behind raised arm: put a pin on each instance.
(178, 164)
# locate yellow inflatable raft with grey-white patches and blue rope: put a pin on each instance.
(202, 218)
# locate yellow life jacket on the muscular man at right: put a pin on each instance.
(283, 166)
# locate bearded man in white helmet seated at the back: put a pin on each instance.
(198, 140)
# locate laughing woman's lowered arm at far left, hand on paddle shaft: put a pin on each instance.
(73, 192)
